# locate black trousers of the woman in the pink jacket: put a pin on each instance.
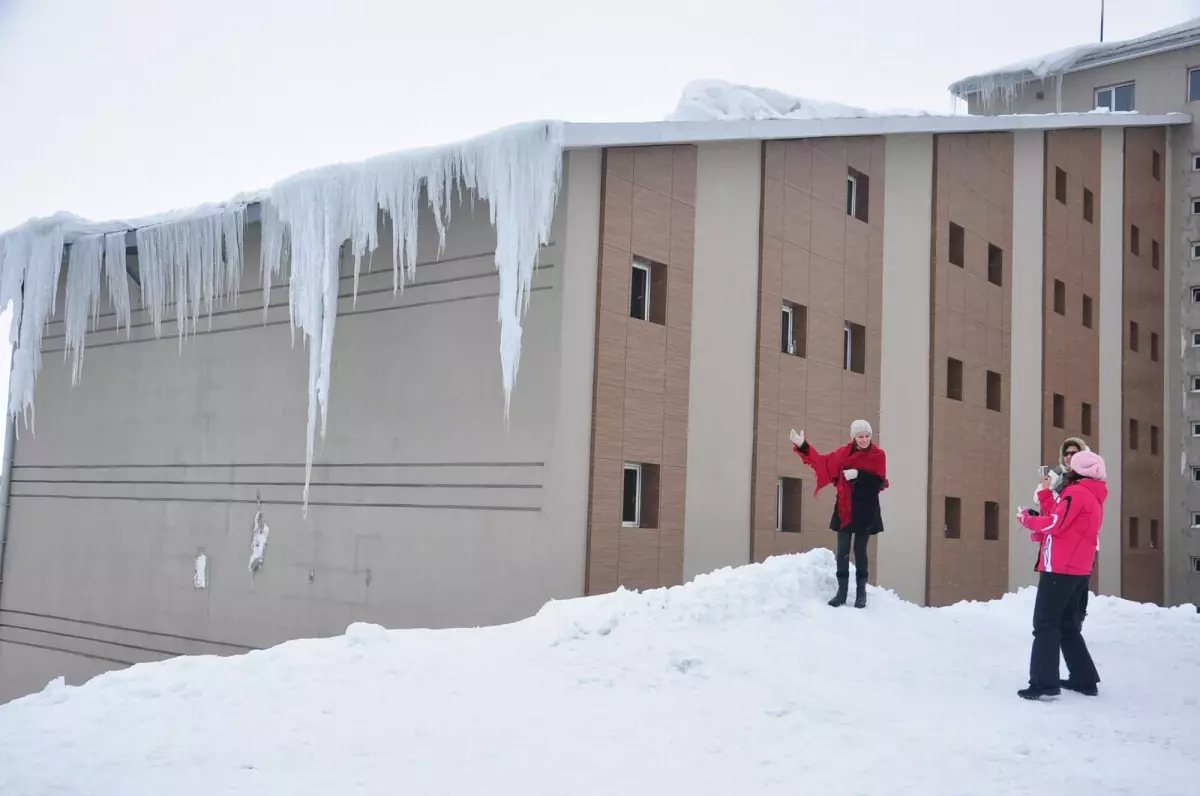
(1058, 620)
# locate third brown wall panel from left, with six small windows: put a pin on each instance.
(974, 189)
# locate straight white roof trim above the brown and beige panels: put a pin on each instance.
(589, 135)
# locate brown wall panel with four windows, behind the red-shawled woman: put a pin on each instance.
(818, 256)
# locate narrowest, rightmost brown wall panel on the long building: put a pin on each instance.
(1142, 472)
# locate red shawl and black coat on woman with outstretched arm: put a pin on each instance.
(857, 507)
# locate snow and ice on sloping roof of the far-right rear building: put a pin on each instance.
(1006, 80)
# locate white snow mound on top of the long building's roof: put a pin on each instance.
(721, 101)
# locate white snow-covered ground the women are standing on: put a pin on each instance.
(743, 683)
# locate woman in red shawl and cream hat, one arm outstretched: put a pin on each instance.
(860, 472)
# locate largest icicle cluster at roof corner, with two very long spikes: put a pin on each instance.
(517, 171)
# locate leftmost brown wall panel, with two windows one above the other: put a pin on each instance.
(640, 399)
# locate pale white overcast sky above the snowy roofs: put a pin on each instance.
(118, 109)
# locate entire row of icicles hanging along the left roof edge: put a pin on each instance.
(194, 260)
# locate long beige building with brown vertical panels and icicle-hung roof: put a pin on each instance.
(701, 290)
